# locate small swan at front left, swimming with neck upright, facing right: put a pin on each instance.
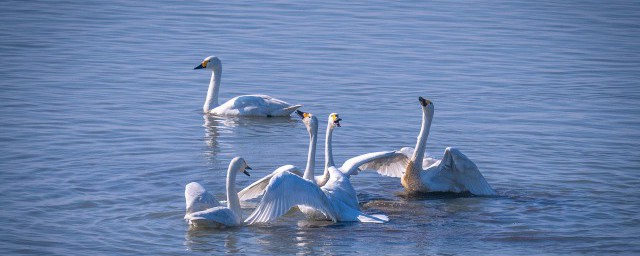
(203, 210)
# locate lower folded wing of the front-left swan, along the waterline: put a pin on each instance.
(213, 217)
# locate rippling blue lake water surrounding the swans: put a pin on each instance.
(101, 124)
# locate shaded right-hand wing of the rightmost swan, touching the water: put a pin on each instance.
(462, 173)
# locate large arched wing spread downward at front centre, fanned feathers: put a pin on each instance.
(286, 190)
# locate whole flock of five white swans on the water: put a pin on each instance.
(329, 196)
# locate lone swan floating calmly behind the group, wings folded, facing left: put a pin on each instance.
(245, 105)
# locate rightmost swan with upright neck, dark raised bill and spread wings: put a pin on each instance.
(453, 173)
